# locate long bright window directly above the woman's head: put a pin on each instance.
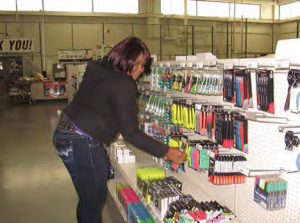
(118, 6)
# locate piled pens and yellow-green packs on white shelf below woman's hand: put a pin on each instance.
(165, 195)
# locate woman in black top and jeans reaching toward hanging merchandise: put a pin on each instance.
(104, 106)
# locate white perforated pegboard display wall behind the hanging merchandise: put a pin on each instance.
(266, 152)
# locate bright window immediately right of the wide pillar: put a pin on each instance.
(172, 7)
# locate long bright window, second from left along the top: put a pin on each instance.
(68, 5)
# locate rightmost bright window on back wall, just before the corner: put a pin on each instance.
(245, 11)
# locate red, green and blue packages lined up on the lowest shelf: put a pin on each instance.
(135, 210)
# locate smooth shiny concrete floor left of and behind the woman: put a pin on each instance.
(34, 184)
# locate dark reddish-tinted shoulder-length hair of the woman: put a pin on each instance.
(123, 55)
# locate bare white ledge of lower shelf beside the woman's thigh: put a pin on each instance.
(129, 170)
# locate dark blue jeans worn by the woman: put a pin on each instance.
(87, 163)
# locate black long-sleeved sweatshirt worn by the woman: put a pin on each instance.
(105, 105)
